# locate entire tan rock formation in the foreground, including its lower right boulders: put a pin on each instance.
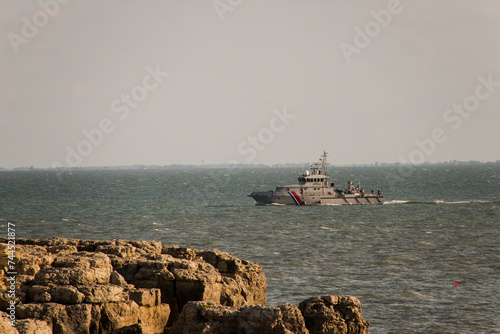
(90, 286)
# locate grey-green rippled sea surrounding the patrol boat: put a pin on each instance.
(439, 225)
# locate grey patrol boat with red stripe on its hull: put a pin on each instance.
(314, 188)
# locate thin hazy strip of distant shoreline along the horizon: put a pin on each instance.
(248, 166)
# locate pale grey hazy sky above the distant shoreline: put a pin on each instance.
(89, 83)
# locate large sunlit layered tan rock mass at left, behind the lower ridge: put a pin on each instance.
(90, 286)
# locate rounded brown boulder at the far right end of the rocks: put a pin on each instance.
(334, 314)
